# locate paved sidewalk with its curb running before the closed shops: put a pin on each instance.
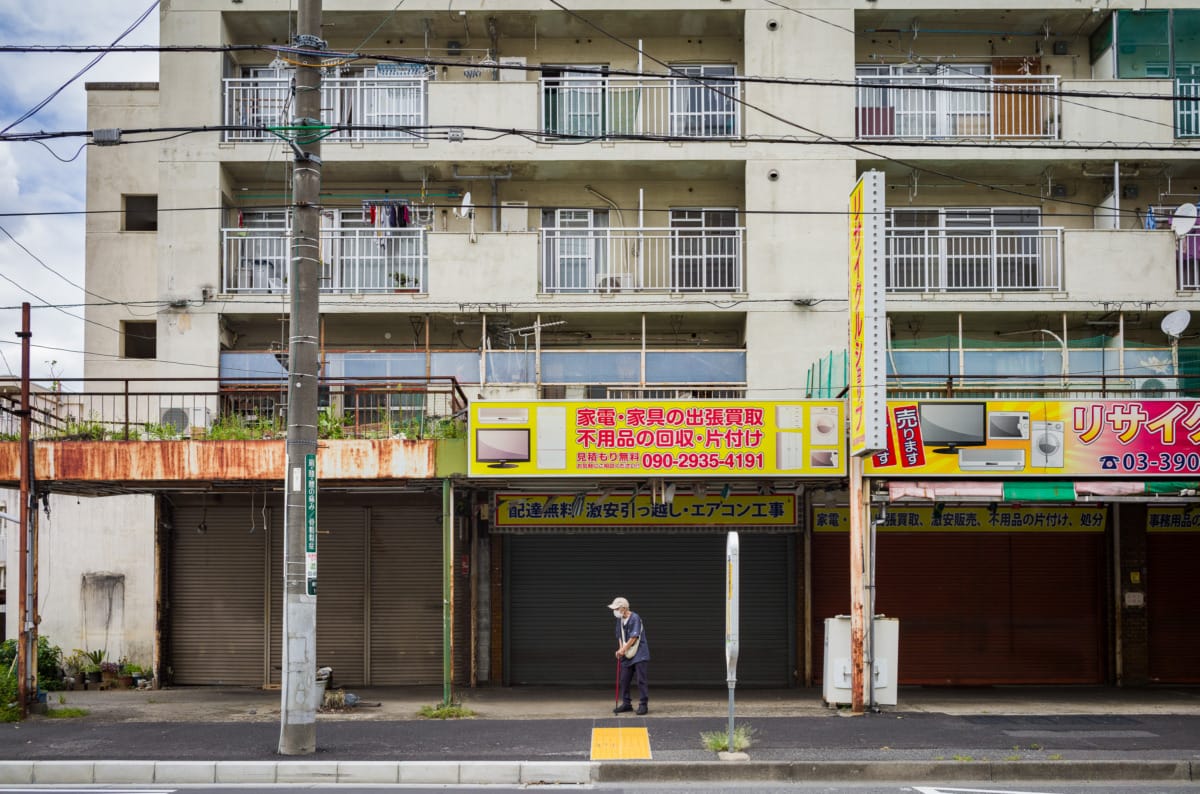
(543, 735)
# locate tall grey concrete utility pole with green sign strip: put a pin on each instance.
(301, 693)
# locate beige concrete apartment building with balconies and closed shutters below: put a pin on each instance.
(633, 204)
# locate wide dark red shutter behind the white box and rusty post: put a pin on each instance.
(977, 609)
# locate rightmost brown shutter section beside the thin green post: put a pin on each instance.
(406, 592)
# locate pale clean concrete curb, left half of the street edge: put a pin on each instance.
(177, 773)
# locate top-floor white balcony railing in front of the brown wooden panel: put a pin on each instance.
(953, 106)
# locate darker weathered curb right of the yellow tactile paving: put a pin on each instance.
(905, 771)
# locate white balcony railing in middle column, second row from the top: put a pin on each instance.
(610, 261)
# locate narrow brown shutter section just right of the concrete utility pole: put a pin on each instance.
(341, 582)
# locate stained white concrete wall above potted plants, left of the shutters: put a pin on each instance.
(97, 572)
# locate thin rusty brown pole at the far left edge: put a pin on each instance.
(27, 609)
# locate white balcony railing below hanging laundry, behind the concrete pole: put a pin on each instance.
(352, 261)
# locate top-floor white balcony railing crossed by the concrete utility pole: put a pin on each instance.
(391, 105)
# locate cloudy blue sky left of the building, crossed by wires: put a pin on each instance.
(33, 181)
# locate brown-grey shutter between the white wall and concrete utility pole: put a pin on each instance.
(217, 610)
